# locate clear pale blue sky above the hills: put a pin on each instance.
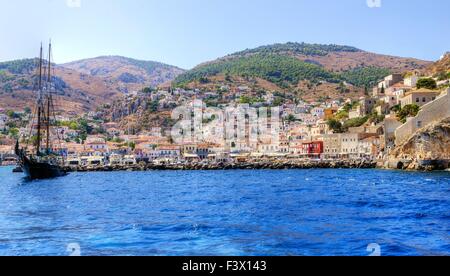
(188, 32)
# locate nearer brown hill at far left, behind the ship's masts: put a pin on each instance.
(76, 92)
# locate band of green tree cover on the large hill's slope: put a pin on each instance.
(281, 70)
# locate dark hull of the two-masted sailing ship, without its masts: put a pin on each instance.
(40, 170)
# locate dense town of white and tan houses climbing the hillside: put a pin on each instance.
(140, 127)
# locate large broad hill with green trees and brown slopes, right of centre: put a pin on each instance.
(286, 65)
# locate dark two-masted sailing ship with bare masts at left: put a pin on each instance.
(43, 162)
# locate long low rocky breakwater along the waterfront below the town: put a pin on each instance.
(253, 165)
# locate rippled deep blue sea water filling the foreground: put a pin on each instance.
(258, 213)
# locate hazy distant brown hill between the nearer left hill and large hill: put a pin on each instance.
(125, 73)
